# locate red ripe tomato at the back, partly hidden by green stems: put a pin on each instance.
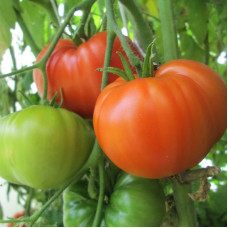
(73, 69)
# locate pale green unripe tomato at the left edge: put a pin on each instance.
(42, 146)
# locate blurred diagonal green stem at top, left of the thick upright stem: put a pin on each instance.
(141, 29)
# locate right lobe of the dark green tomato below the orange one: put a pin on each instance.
(135, 202)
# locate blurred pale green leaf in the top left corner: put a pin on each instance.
(7, 21)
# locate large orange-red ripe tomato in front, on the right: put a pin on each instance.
(162, 125)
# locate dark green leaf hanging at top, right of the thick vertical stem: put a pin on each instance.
(197, 16)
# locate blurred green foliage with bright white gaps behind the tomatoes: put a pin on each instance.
(28, 25)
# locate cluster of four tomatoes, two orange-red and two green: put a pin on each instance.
(150, 127)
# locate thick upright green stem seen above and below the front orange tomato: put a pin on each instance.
(184, 205)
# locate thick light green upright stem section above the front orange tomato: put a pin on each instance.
(169, 35)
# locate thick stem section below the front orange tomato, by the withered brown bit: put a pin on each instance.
(184, 204)
